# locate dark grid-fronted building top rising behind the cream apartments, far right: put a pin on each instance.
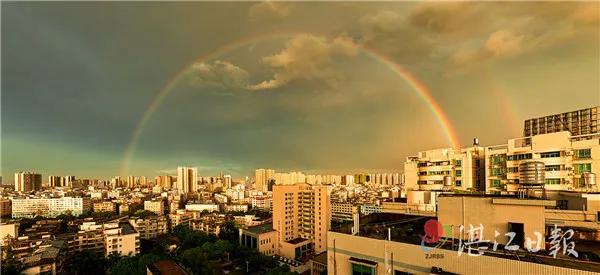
(578, 123)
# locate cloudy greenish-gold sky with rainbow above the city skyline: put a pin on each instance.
(100, 89)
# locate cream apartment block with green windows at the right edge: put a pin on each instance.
(565, 162)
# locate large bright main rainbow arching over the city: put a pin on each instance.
(405, 74)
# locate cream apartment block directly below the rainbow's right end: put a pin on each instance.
(446, 169)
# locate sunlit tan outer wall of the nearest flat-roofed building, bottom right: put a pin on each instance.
(410, 258)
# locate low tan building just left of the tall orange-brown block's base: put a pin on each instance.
(261, 237)
